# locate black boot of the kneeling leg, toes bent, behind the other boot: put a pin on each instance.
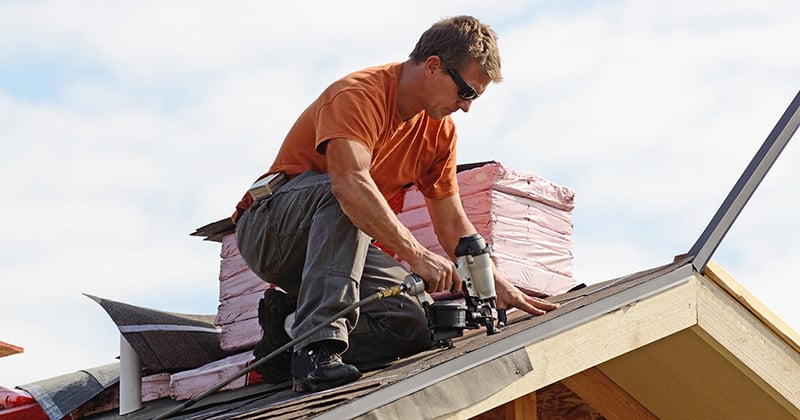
(272, 311)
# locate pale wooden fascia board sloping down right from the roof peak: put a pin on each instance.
(737, 334)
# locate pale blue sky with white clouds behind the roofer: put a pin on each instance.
(126, 125)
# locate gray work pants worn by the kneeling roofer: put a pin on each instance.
(300, 239)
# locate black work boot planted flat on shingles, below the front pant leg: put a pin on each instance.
(316, 367)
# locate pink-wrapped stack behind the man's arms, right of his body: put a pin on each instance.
(526, 219)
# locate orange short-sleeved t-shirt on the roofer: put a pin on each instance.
(362, 107)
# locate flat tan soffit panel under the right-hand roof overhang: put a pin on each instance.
(681, 376)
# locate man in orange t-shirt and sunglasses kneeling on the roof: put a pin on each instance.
(367, 136)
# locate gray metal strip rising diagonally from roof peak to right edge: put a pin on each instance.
(744, 188)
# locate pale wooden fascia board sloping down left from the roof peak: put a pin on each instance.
(594, 342)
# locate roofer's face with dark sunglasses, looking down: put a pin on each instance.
(453, 90)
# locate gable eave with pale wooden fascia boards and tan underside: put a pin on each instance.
(678, 307)
